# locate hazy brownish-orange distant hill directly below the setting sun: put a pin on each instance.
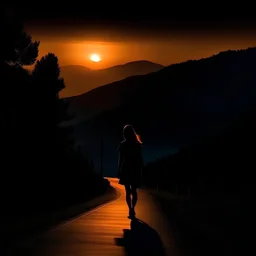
(80, 79)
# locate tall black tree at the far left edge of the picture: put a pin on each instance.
(17, 50)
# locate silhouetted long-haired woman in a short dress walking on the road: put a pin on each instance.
(130, 165)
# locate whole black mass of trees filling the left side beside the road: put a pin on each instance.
(40, 156)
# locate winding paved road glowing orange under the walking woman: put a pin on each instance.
(107, 231)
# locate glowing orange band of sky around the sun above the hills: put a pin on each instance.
(75, 47)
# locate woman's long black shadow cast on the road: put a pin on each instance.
(140, 240)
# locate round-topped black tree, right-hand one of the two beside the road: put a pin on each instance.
(71, 167)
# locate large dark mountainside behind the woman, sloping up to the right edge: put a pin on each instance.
(171, 108)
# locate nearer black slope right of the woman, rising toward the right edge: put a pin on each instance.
(228, 155)
